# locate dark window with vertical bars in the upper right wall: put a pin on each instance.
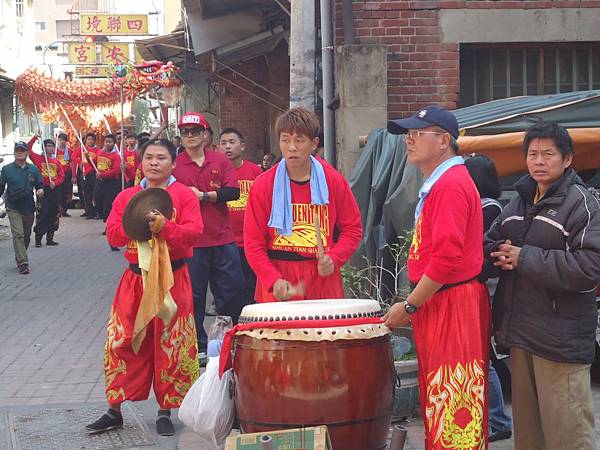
(493, 72)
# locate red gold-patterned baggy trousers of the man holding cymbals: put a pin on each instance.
(167, 358)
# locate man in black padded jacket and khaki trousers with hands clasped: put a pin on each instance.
(546, 242)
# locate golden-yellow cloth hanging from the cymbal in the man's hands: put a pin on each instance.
(157, 279)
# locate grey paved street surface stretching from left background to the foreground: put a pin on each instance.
(52, 330)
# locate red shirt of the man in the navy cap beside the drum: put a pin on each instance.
(447, 243)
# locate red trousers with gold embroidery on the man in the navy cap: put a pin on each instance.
(452, 337)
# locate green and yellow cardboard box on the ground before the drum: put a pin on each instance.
(313, 438)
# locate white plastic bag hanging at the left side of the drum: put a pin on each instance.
(208, 408)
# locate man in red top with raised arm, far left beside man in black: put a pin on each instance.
(47, 218)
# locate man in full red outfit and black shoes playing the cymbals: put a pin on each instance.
(164, 354)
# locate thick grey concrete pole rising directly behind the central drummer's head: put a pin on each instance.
(302, 54)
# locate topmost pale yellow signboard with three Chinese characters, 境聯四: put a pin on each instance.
(113, 24)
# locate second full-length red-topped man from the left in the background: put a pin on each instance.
(86, 162)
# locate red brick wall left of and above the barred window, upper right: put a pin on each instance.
(422, 69)
